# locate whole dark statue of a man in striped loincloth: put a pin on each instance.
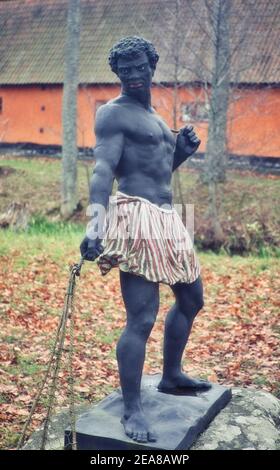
(135, 146)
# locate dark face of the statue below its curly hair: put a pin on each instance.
(135, 74)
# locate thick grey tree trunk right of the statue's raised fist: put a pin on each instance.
(216, 150)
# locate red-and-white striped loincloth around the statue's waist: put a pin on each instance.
(147, 240)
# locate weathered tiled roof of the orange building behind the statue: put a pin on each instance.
(32, 38)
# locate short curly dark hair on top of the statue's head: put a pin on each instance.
(132, 46)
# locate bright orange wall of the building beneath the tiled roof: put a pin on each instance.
(253, 118)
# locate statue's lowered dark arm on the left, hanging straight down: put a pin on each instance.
(107, 152)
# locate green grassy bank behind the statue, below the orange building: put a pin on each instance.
(248, 204)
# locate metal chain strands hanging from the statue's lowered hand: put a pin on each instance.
(56, 354)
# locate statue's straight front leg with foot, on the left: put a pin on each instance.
(141, 299)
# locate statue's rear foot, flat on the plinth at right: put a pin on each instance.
(182, 382)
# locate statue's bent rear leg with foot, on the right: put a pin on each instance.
(189, 300)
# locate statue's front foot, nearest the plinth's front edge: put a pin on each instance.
(137, 428)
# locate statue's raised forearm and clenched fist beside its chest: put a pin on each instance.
(186, 144)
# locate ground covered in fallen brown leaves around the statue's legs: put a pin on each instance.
(234, 339)
